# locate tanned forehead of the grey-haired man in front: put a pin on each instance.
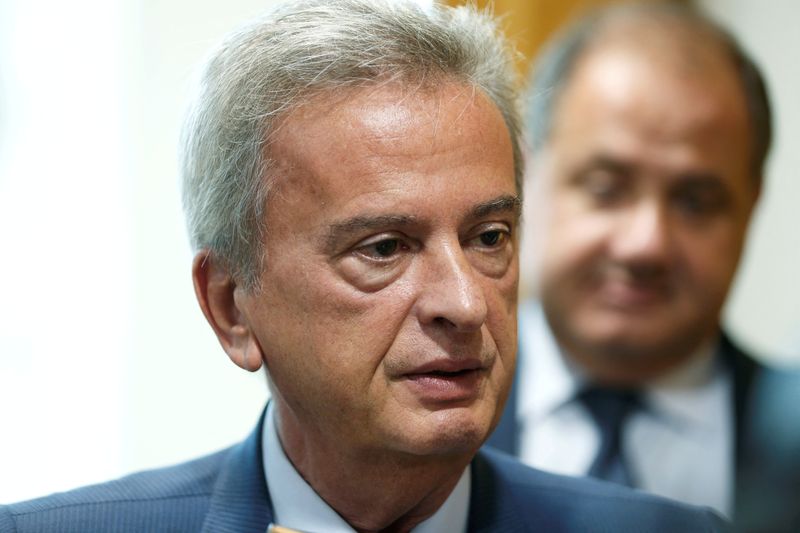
(375, 119)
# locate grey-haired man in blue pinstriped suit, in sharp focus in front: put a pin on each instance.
(352, 181)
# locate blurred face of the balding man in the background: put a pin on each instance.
(646, 191)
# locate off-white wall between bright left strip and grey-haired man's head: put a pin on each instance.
(185, 397)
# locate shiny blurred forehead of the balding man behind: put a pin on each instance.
(622, 88)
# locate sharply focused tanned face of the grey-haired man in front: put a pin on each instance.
(387, 312)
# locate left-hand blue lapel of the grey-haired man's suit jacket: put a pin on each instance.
(240, 500)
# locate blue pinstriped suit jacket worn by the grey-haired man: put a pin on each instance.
(226, 492)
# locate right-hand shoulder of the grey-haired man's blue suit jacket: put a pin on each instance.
(551, 502)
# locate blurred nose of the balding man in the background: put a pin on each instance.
(643, 234)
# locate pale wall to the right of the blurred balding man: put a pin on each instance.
(764, 311)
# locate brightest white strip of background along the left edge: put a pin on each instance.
(65, 226)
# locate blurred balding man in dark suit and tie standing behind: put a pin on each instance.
(649, 128)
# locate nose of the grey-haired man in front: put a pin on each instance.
(451, 294)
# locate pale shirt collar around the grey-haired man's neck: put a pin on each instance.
(296, 505)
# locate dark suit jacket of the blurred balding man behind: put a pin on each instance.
(767, 442)
